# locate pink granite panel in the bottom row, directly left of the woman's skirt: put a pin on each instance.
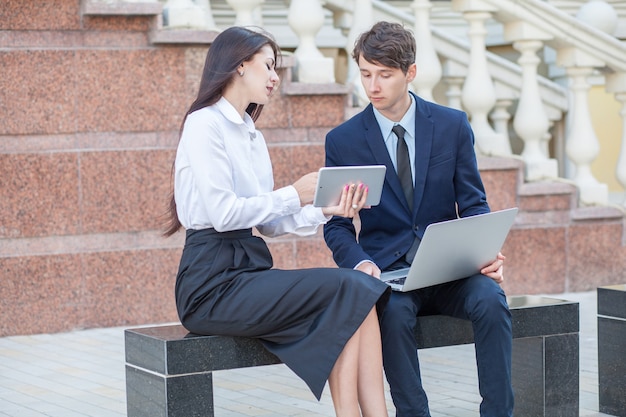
(131, 287)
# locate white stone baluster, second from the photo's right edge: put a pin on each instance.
(582, 145)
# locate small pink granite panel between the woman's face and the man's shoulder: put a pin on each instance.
(317, 111)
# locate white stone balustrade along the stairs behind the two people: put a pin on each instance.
(581, 49)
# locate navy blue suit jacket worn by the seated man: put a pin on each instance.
(447, 183)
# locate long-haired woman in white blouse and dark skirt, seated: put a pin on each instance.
(321, 322)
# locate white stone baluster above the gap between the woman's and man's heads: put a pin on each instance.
(306, 18)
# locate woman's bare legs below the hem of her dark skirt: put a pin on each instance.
(356, 380)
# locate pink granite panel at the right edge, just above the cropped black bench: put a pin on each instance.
(596, 255)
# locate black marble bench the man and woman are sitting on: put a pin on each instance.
(169, 371)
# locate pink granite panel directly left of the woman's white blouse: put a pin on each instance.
(125, 190)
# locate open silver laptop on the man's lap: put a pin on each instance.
(453, 250)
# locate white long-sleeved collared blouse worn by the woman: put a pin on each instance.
(223, 178)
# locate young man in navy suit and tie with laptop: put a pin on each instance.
(443, 171)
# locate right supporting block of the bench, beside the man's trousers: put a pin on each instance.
(545, 375)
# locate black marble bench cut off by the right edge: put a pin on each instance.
(612, 349)
